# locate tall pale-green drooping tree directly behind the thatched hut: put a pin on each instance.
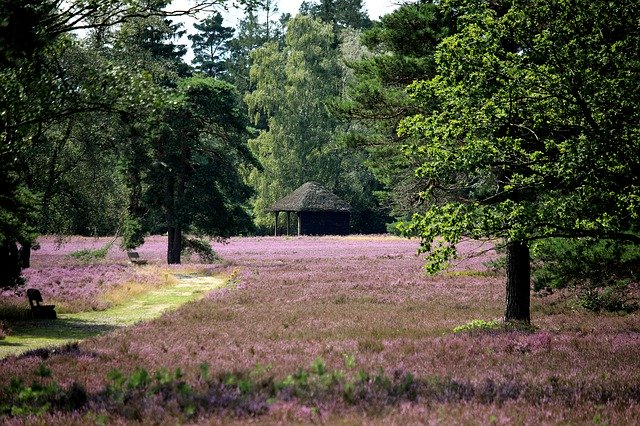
(299, 141)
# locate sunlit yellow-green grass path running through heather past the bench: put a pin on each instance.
(28, 335)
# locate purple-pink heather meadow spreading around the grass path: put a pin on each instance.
(344, 330)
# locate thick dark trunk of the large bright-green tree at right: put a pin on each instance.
(518, 282)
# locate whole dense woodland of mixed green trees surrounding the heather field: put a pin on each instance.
(511, 120)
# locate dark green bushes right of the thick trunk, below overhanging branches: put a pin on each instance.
(601, 271)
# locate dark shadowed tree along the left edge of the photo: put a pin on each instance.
(24, 80)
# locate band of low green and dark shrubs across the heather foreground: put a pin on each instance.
(141, 394)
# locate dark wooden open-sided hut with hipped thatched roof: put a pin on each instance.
(318, 211)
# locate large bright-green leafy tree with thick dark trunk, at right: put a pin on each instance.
(536, 133)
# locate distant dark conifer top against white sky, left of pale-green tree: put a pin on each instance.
(209, 44)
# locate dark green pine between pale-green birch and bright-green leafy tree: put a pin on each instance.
(400, 49)
